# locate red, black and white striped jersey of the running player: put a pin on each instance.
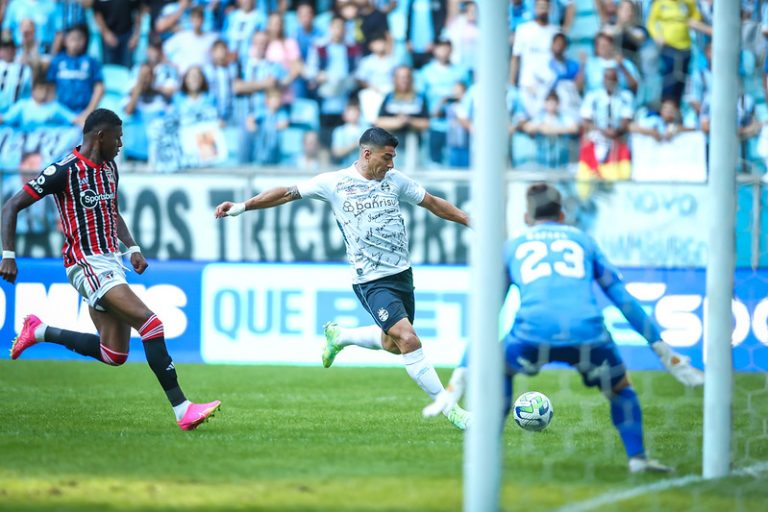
(86, 196)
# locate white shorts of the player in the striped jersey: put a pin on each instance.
(94, 276)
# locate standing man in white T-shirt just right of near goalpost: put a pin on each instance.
(533, 43)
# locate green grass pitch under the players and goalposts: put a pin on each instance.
(83, 436)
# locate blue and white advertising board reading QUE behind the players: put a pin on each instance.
(274, 313)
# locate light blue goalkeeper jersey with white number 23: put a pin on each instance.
(555, 267)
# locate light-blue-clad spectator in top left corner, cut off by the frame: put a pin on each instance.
(42, 13)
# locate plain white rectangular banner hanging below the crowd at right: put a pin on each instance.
(682, 159)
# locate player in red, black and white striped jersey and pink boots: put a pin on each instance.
(84, 186)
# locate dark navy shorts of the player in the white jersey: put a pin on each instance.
(389, 299)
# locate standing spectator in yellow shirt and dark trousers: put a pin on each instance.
(668, 24)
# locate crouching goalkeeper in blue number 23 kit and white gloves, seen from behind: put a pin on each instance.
(555, 267)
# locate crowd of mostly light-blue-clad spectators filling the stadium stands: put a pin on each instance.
(295, 82)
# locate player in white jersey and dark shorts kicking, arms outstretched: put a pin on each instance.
(365, 199)
